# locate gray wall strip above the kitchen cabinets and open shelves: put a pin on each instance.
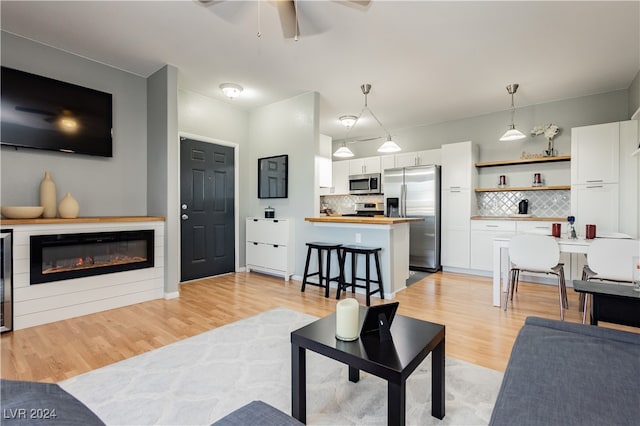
(485, 130)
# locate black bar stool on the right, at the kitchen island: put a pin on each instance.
(367, 252)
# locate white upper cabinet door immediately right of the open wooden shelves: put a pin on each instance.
(595, 153)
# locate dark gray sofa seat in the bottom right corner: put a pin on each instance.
(563, 373)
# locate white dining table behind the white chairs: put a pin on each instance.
(501, 260)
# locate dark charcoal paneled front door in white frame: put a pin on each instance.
(207, 231)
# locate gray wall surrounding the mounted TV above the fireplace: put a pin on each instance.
(103, 186)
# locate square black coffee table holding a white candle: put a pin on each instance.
(393, 361)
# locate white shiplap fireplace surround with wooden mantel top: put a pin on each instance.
(35, 304)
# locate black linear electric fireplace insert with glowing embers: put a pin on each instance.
(66, 256)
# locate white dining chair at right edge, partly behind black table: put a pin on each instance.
(609, 259)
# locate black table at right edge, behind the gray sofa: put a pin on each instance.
(610, 302)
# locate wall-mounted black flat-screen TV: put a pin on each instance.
(39, 112)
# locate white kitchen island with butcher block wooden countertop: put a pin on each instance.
(389, 233)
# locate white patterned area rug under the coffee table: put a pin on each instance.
(201, 379)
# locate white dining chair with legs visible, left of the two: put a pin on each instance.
(540, 254)
